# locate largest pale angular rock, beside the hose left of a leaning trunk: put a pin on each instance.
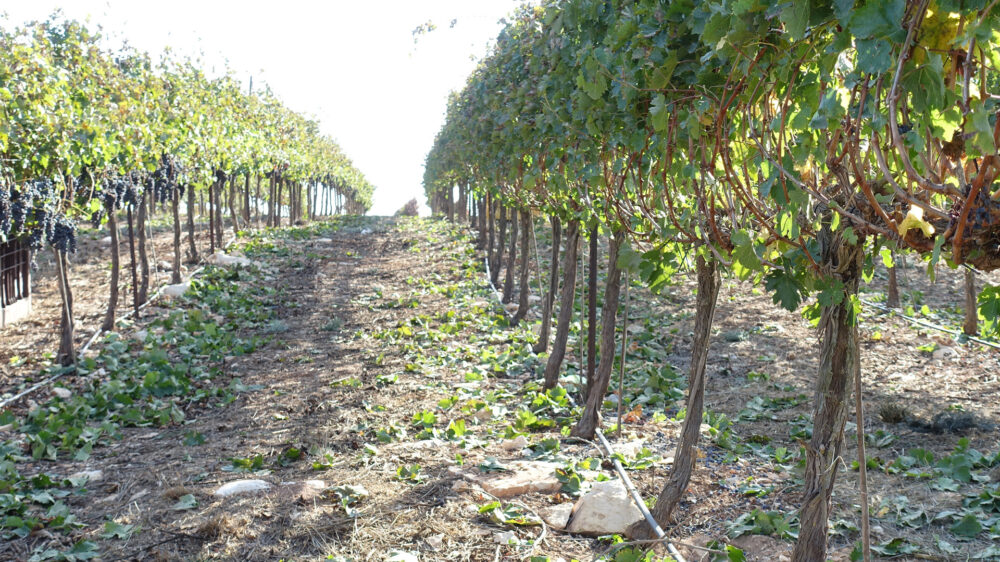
(605, 510)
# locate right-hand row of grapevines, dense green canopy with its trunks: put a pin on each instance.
(791, 144)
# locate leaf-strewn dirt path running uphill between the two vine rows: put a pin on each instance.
(313, 404)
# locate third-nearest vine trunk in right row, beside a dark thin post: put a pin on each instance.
(590, 418)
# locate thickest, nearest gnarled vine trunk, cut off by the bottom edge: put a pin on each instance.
(839, 362)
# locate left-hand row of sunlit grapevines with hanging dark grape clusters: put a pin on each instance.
(88, 133)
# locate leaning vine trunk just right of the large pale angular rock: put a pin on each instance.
(684, 456)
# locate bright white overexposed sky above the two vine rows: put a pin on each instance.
(353, 64)
